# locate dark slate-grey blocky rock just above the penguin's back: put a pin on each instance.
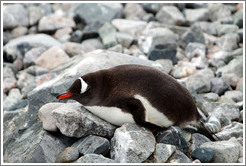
(156, 54)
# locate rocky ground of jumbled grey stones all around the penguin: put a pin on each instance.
(47, 46)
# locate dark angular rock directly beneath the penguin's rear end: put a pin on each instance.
(173, 136)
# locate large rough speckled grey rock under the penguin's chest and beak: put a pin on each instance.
(75, 121)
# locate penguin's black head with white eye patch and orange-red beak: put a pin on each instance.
(76, 91)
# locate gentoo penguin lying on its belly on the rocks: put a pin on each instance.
(135, 94)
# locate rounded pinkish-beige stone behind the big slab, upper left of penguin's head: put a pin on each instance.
(52, 58)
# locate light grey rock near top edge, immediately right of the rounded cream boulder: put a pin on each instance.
(194, 15)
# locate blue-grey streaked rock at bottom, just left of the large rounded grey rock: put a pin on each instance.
(92, 145)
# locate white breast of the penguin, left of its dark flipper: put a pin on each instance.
(112, 115)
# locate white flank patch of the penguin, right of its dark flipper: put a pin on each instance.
(152, 115)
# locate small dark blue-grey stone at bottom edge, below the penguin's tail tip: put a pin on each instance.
(203, 154)
